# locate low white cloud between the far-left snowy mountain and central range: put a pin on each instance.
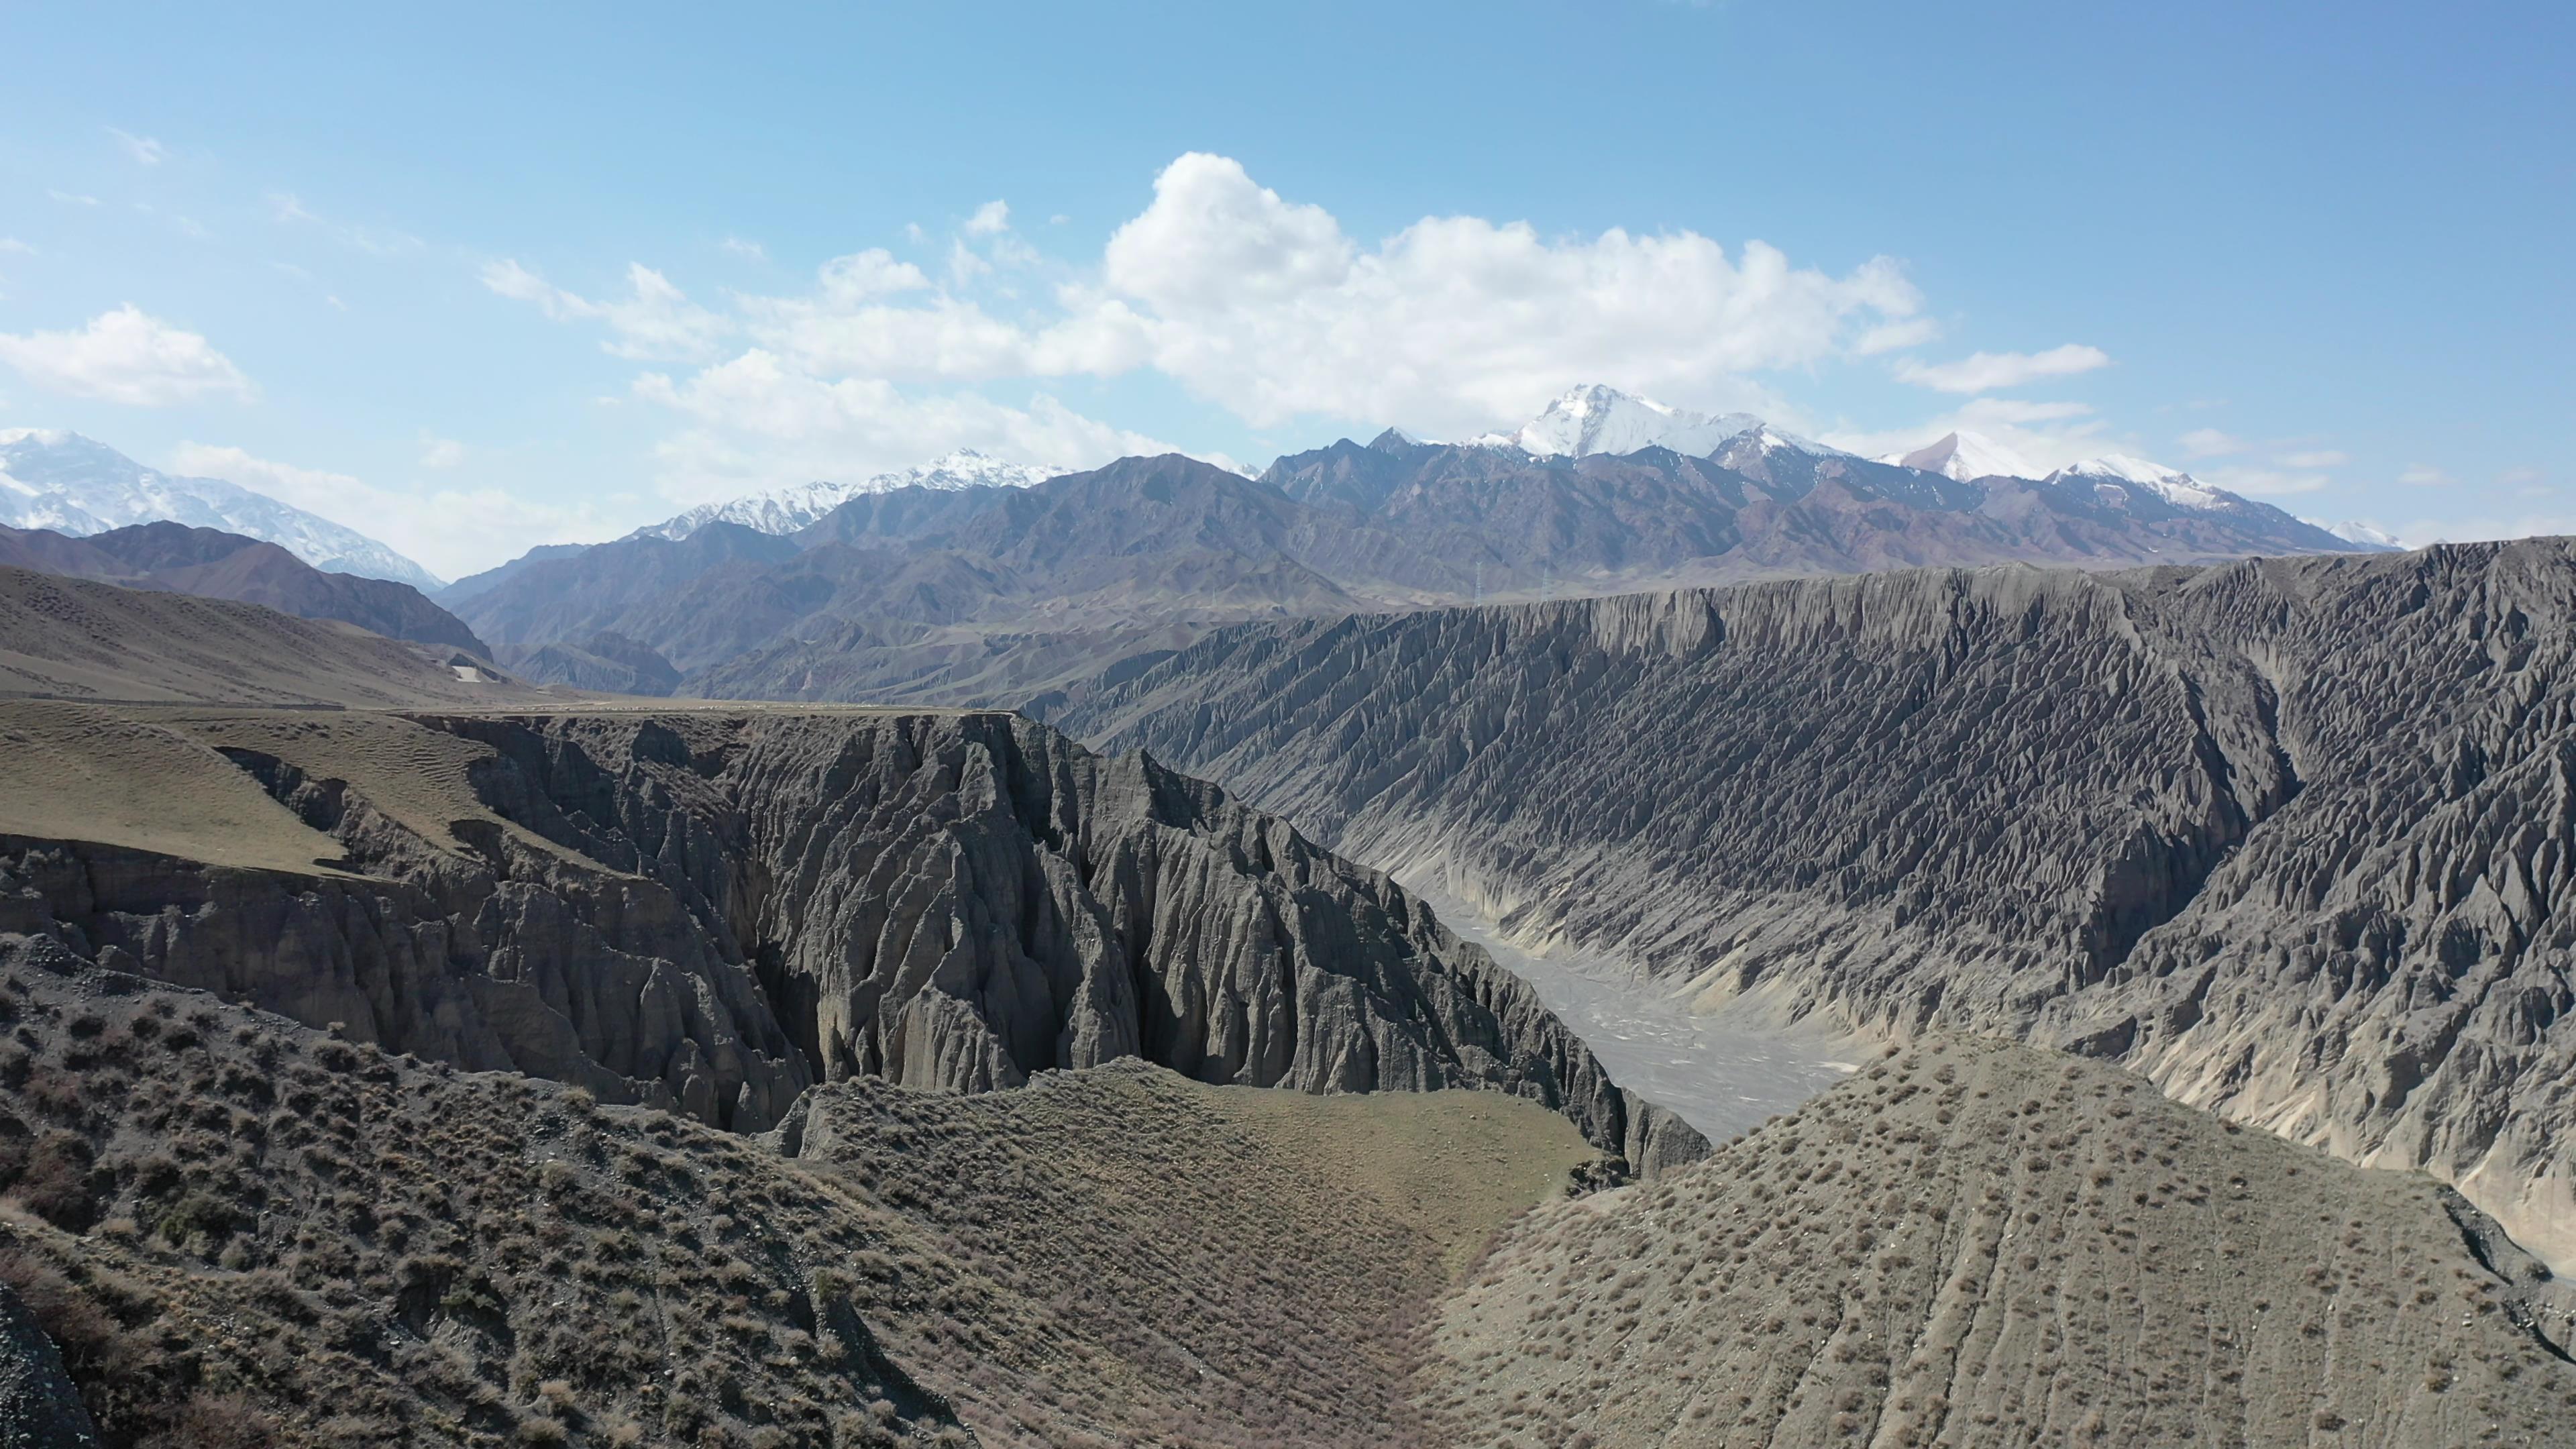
(450, 530)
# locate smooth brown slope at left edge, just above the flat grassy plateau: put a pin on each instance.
(94, 641)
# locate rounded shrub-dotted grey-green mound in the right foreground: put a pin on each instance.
(1993, 1247)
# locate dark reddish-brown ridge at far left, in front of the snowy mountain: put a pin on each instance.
(249, 571)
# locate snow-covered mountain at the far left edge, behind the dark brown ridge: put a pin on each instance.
(81, 486)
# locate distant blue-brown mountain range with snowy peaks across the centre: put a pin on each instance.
(954, 592)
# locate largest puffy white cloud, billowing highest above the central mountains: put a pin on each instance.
(1271, 311)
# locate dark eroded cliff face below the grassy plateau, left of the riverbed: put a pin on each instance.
(715, 911)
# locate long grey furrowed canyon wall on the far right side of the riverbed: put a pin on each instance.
(2294, 837)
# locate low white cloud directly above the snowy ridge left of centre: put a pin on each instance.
(759, 422)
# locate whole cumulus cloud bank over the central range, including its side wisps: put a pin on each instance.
(1248, 300)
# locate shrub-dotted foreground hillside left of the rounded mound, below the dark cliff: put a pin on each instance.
(254, 1234)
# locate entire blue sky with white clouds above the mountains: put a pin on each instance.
(488, 277)
